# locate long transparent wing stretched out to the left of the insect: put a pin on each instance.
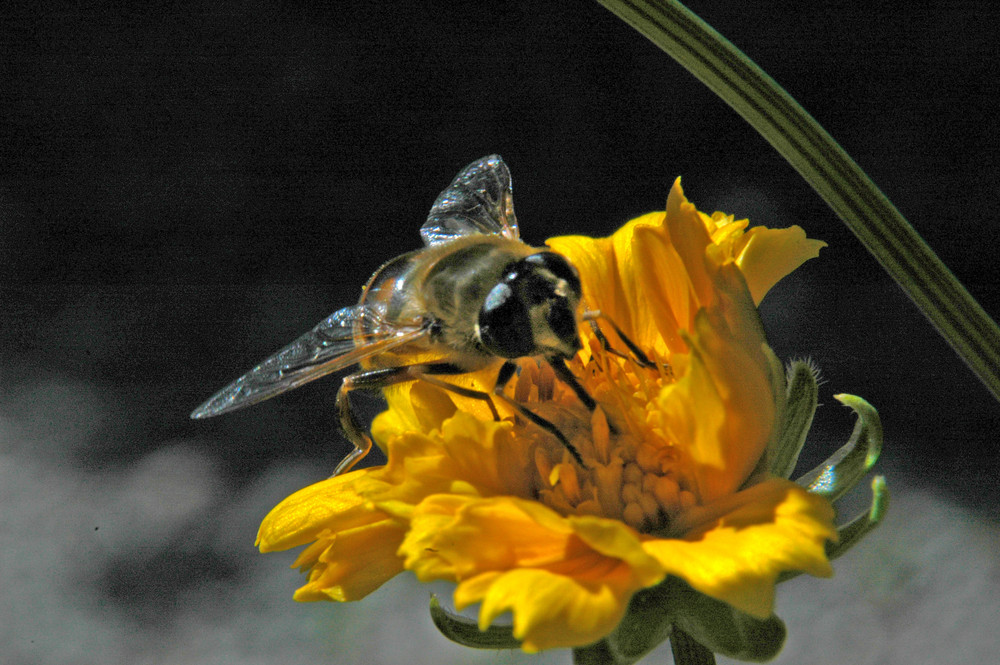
(330, 346)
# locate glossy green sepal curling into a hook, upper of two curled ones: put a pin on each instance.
(846, 467)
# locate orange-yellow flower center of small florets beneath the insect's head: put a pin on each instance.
(632, 471)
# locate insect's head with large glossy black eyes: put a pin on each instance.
(532, 310)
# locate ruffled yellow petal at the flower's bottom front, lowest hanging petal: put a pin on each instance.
(567, 581)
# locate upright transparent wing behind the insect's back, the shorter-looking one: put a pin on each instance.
(478, 200)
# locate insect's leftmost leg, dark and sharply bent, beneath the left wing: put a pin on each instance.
(377, 379)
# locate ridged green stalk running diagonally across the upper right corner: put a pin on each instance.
(830, 171)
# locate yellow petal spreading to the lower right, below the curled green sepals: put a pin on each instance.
(738, 546)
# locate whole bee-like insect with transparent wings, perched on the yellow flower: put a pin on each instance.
(475, 295)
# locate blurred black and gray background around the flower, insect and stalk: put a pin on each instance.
(186, 188)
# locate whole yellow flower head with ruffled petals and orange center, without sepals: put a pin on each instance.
(675, 478)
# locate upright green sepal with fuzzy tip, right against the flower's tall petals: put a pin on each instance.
(800, 406)
